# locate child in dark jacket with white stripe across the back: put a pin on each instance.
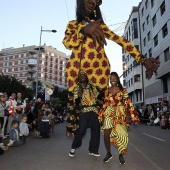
(45, 125)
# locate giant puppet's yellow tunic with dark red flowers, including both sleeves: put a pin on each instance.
(91, 58)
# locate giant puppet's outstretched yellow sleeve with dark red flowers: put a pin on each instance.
(124, 43)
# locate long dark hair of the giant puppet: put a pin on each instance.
(81, 12)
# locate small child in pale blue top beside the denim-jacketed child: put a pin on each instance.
(23, 127)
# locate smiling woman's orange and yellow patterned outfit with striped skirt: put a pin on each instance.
(112, 115)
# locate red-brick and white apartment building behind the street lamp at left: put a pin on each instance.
(22, 64)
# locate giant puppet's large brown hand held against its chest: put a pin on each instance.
(95, 31)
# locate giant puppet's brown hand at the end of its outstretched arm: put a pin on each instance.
(151, 66)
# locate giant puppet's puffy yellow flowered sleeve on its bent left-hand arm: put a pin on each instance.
(72, 36)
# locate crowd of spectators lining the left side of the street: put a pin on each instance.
(20, 118)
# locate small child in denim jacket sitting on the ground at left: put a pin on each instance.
(14, 134)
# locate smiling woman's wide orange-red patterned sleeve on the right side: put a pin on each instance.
(129, 108)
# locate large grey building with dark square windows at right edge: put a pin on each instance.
(155, 38)
